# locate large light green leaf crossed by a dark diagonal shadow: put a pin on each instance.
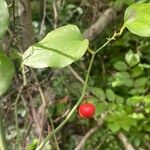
(58, 49)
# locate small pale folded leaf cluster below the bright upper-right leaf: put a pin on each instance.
(132, 58)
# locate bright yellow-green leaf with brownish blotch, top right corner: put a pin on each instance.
(137, 19)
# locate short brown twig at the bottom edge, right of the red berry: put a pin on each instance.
(125, 141)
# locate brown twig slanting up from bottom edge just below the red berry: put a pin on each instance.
(91, 131)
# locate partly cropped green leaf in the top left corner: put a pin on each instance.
(4, 16)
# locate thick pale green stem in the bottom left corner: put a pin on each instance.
(3, 142)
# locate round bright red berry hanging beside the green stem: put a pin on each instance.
(86, 110)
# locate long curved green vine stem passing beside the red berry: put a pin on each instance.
(83, 91)
